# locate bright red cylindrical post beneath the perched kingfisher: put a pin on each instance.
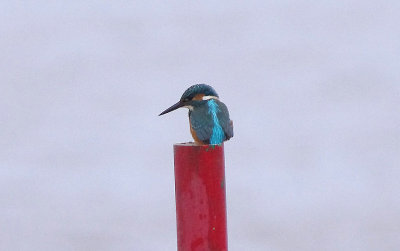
(200, 197)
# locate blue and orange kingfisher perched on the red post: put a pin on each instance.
(208, 117)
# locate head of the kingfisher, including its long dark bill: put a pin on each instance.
(193, 96)
